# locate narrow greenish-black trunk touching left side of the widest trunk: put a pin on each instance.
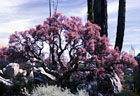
(90, 10)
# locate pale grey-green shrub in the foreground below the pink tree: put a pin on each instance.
(55, 91)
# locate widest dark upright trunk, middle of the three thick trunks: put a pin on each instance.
(100, 15)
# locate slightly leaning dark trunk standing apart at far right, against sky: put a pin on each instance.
(121, 24)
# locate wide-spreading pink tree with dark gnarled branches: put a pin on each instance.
(66, 48)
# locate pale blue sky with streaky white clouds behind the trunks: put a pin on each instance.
(20, 15)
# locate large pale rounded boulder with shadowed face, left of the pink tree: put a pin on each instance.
(11, 70)
